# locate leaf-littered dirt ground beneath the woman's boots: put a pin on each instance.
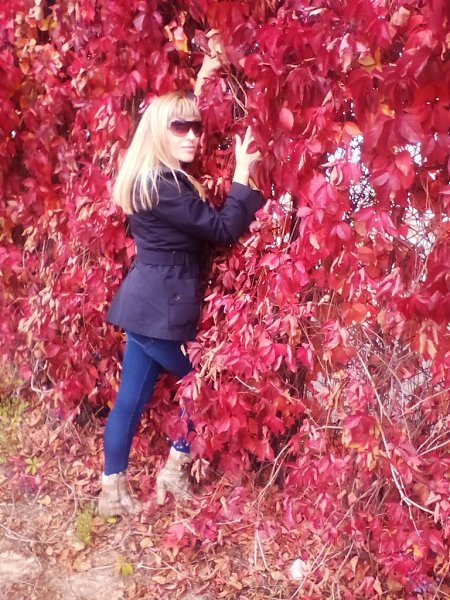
(53, 546)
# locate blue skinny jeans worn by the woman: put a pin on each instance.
(143, 360)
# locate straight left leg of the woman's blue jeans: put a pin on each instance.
(139, 375)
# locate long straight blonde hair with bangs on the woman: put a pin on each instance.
(148, 153)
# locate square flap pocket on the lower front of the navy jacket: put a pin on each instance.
(184, 302)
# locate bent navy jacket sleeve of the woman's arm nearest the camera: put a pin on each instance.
(184, 210)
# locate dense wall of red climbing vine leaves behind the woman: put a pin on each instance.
(323, 345)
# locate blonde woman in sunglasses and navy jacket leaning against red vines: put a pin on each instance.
(158, 303)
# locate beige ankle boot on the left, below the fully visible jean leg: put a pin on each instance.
(115, 499)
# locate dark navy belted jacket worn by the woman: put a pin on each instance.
(160, 297)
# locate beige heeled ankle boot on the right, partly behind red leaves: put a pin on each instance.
(174, 477)
